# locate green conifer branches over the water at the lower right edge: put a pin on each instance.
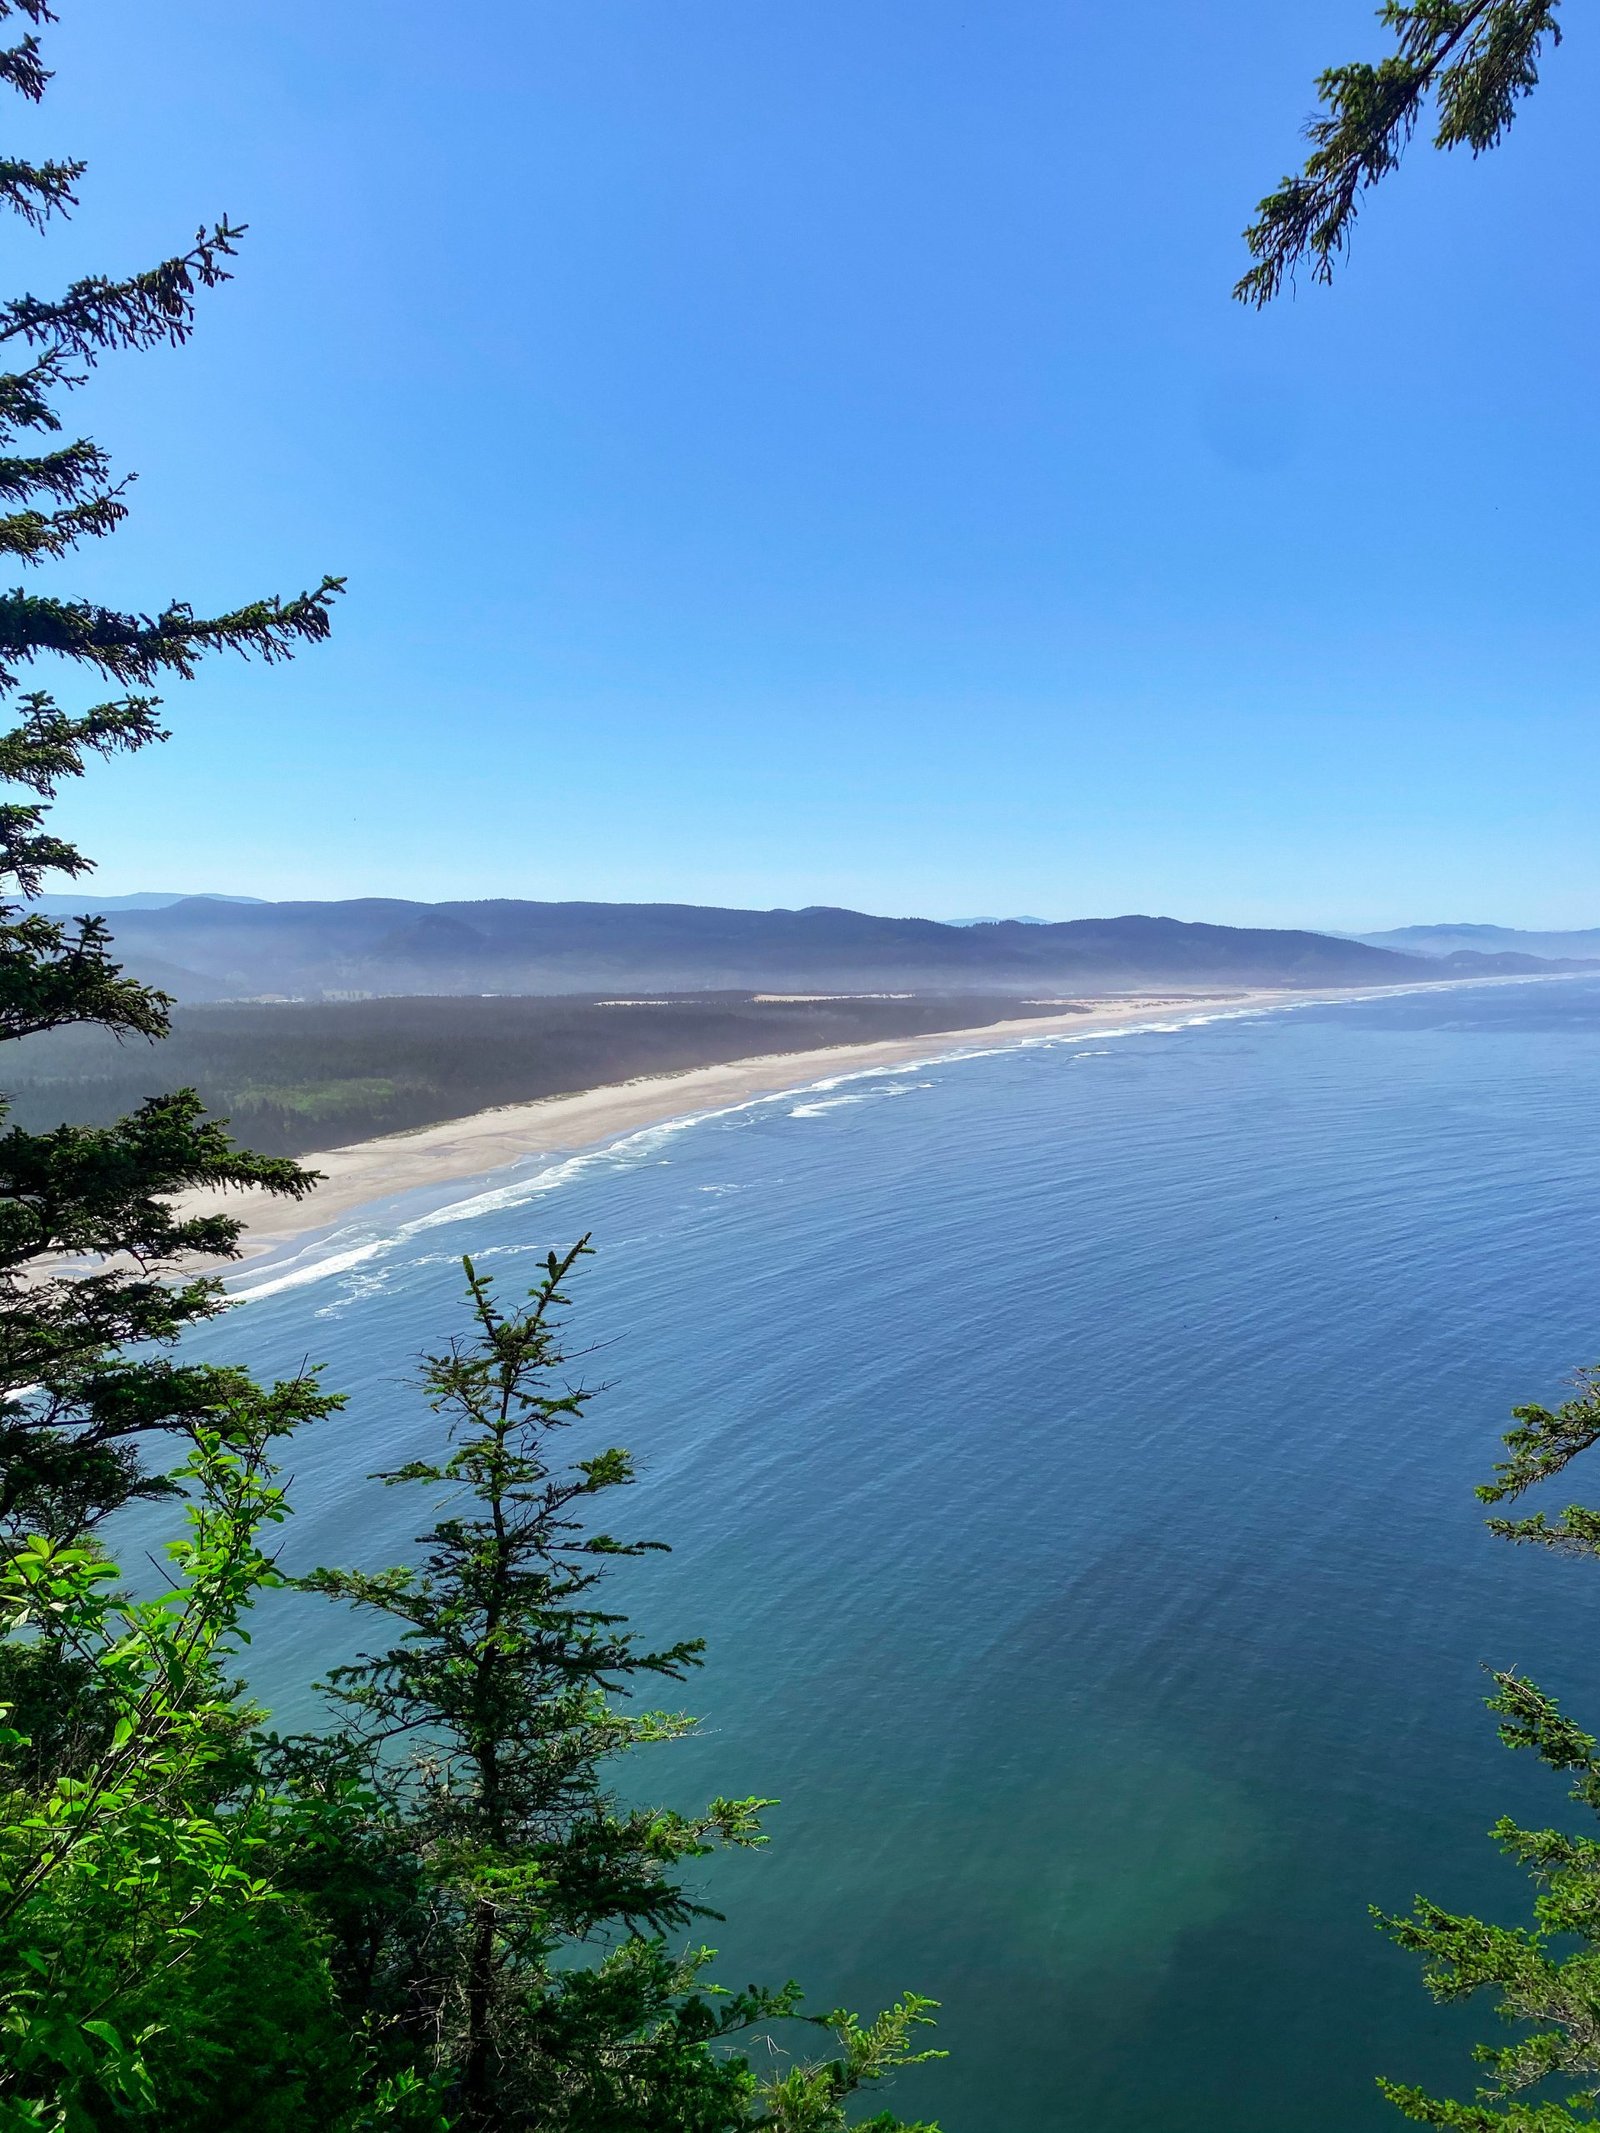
(1543, 1976)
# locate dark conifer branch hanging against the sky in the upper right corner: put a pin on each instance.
(1469, 63)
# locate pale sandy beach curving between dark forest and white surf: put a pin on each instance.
(483, 1144)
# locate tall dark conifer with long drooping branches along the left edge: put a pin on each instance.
(82, 1375)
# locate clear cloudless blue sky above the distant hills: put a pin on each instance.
(790, 451)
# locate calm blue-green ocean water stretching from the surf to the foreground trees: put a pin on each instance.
(1068, 1454)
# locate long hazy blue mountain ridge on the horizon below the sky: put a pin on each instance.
(217, 950)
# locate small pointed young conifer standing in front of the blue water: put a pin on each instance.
(509, 1921)
